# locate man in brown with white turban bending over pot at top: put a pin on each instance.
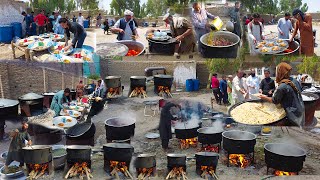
(181, 30)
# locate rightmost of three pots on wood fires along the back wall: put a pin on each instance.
(162, 85)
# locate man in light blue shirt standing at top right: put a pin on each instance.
(284, 26)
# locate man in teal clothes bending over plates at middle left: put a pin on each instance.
(58, 99)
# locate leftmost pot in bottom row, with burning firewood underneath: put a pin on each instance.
(38, 159)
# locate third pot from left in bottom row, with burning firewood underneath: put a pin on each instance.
(117, 158)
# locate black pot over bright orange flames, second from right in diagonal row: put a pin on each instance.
(239, 146)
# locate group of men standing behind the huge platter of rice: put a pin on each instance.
(231, 90)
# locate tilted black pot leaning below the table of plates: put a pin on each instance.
(81, 131)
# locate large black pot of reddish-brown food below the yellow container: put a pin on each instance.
(230, 51)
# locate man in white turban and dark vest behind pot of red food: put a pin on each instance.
(125, 27)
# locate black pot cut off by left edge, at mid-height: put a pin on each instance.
(8, 108)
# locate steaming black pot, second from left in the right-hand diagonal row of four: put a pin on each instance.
(209, 135)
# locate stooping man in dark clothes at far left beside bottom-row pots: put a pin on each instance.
(20, 137)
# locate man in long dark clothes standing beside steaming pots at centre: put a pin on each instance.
(165, 124)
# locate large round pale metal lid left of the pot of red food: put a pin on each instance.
(108, 50)
